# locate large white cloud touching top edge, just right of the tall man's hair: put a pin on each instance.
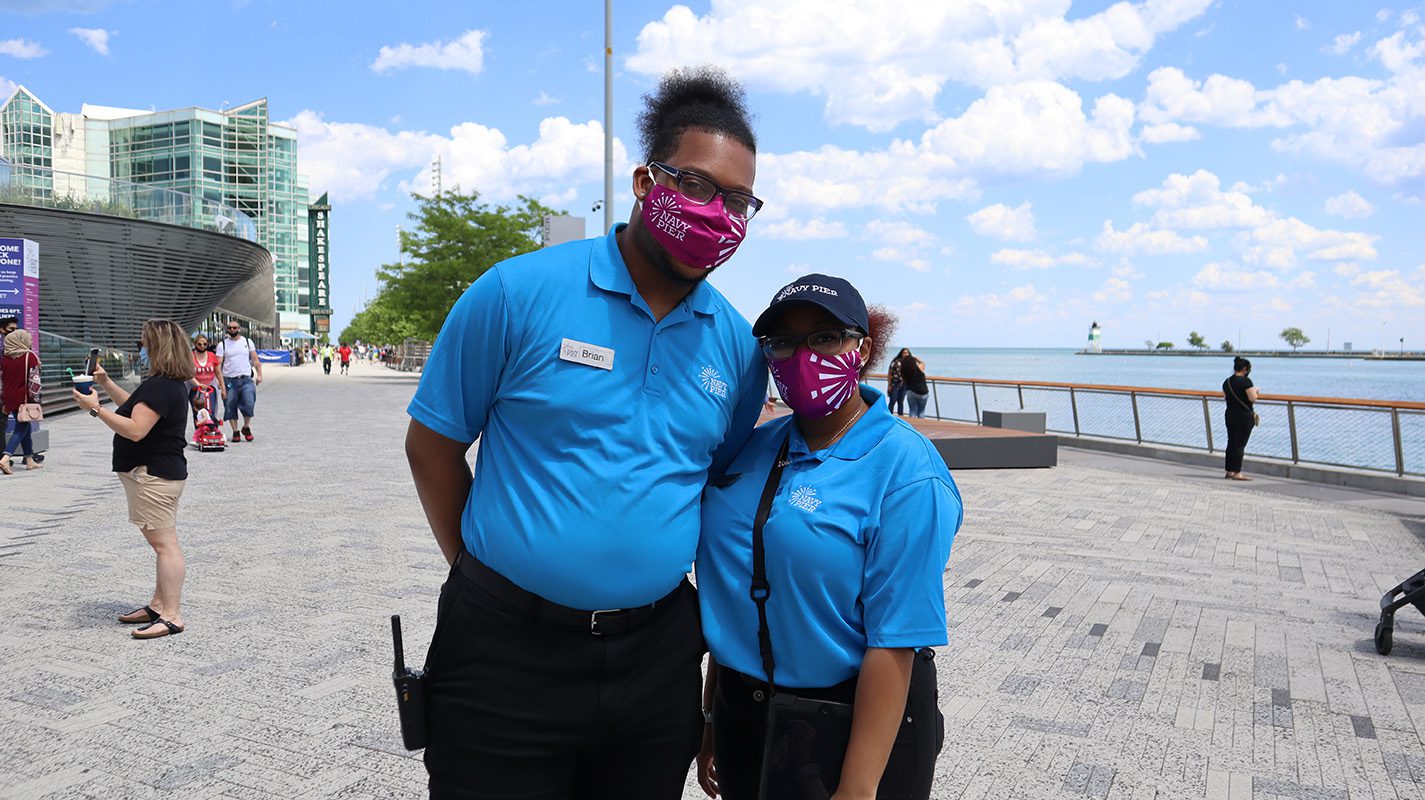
(884, 63)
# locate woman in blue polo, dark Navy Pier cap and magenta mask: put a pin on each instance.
(856, 543)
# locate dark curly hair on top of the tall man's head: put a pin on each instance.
(695, 98)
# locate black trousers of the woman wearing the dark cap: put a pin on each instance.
(740, 727)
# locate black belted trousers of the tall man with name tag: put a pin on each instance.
(525, 711)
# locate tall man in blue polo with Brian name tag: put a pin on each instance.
(603, 380)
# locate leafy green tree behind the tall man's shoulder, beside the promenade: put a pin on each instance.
(455, 239)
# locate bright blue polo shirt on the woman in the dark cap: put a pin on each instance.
(857, 544)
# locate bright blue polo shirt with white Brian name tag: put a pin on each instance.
(598, 426)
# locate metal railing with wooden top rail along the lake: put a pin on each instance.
(1356, 434)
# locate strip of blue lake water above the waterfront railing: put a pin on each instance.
(1315, 377)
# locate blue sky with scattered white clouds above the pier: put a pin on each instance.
(998, 172)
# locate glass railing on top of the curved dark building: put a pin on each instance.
(92, 195)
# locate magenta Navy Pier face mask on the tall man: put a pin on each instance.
(699, 236)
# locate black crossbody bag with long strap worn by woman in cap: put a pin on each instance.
(806, 739)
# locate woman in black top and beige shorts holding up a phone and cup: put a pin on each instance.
(149, 457)
